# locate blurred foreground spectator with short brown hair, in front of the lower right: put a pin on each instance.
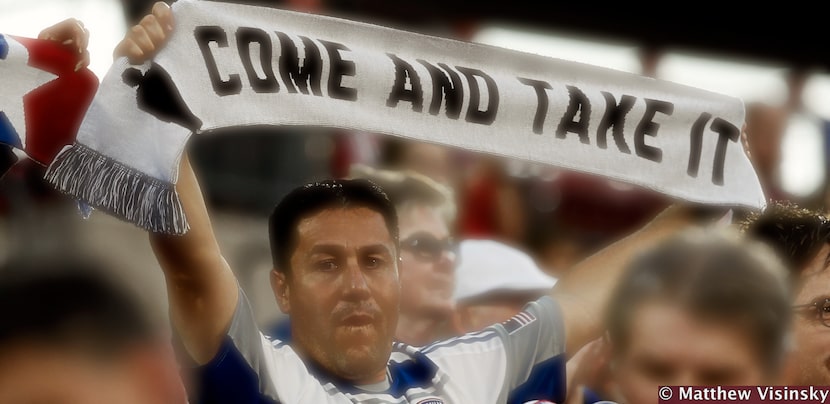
(706, 308)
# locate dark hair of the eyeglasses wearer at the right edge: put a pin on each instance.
(795, 233)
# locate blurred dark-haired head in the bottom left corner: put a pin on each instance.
(70, 335)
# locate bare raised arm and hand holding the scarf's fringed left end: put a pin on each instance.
(201, 287)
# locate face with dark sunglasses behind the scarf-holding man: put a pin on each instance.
(427, 265)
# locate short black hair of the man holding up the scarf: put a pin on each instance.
(315, 197)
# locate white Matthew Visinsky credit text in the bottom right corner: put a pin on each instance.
(756, 394)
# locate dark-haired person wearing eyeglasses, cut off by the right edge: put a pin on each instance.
(802, 237)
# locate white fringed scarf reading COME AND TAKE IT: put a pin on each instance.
(234, 65)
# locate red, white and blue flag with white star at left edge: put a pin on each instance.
(43, 99)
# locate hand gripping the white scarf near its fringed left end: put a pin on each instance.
(146, 38)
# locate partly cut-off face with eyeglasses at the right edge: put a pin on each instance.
(811, 358)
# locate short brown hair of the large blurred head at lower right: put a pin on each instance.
(712, 276)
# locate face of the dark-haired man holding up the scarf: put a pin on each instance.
(343, 292)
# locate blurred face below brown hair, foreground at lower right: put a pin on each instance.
(667, 346)
